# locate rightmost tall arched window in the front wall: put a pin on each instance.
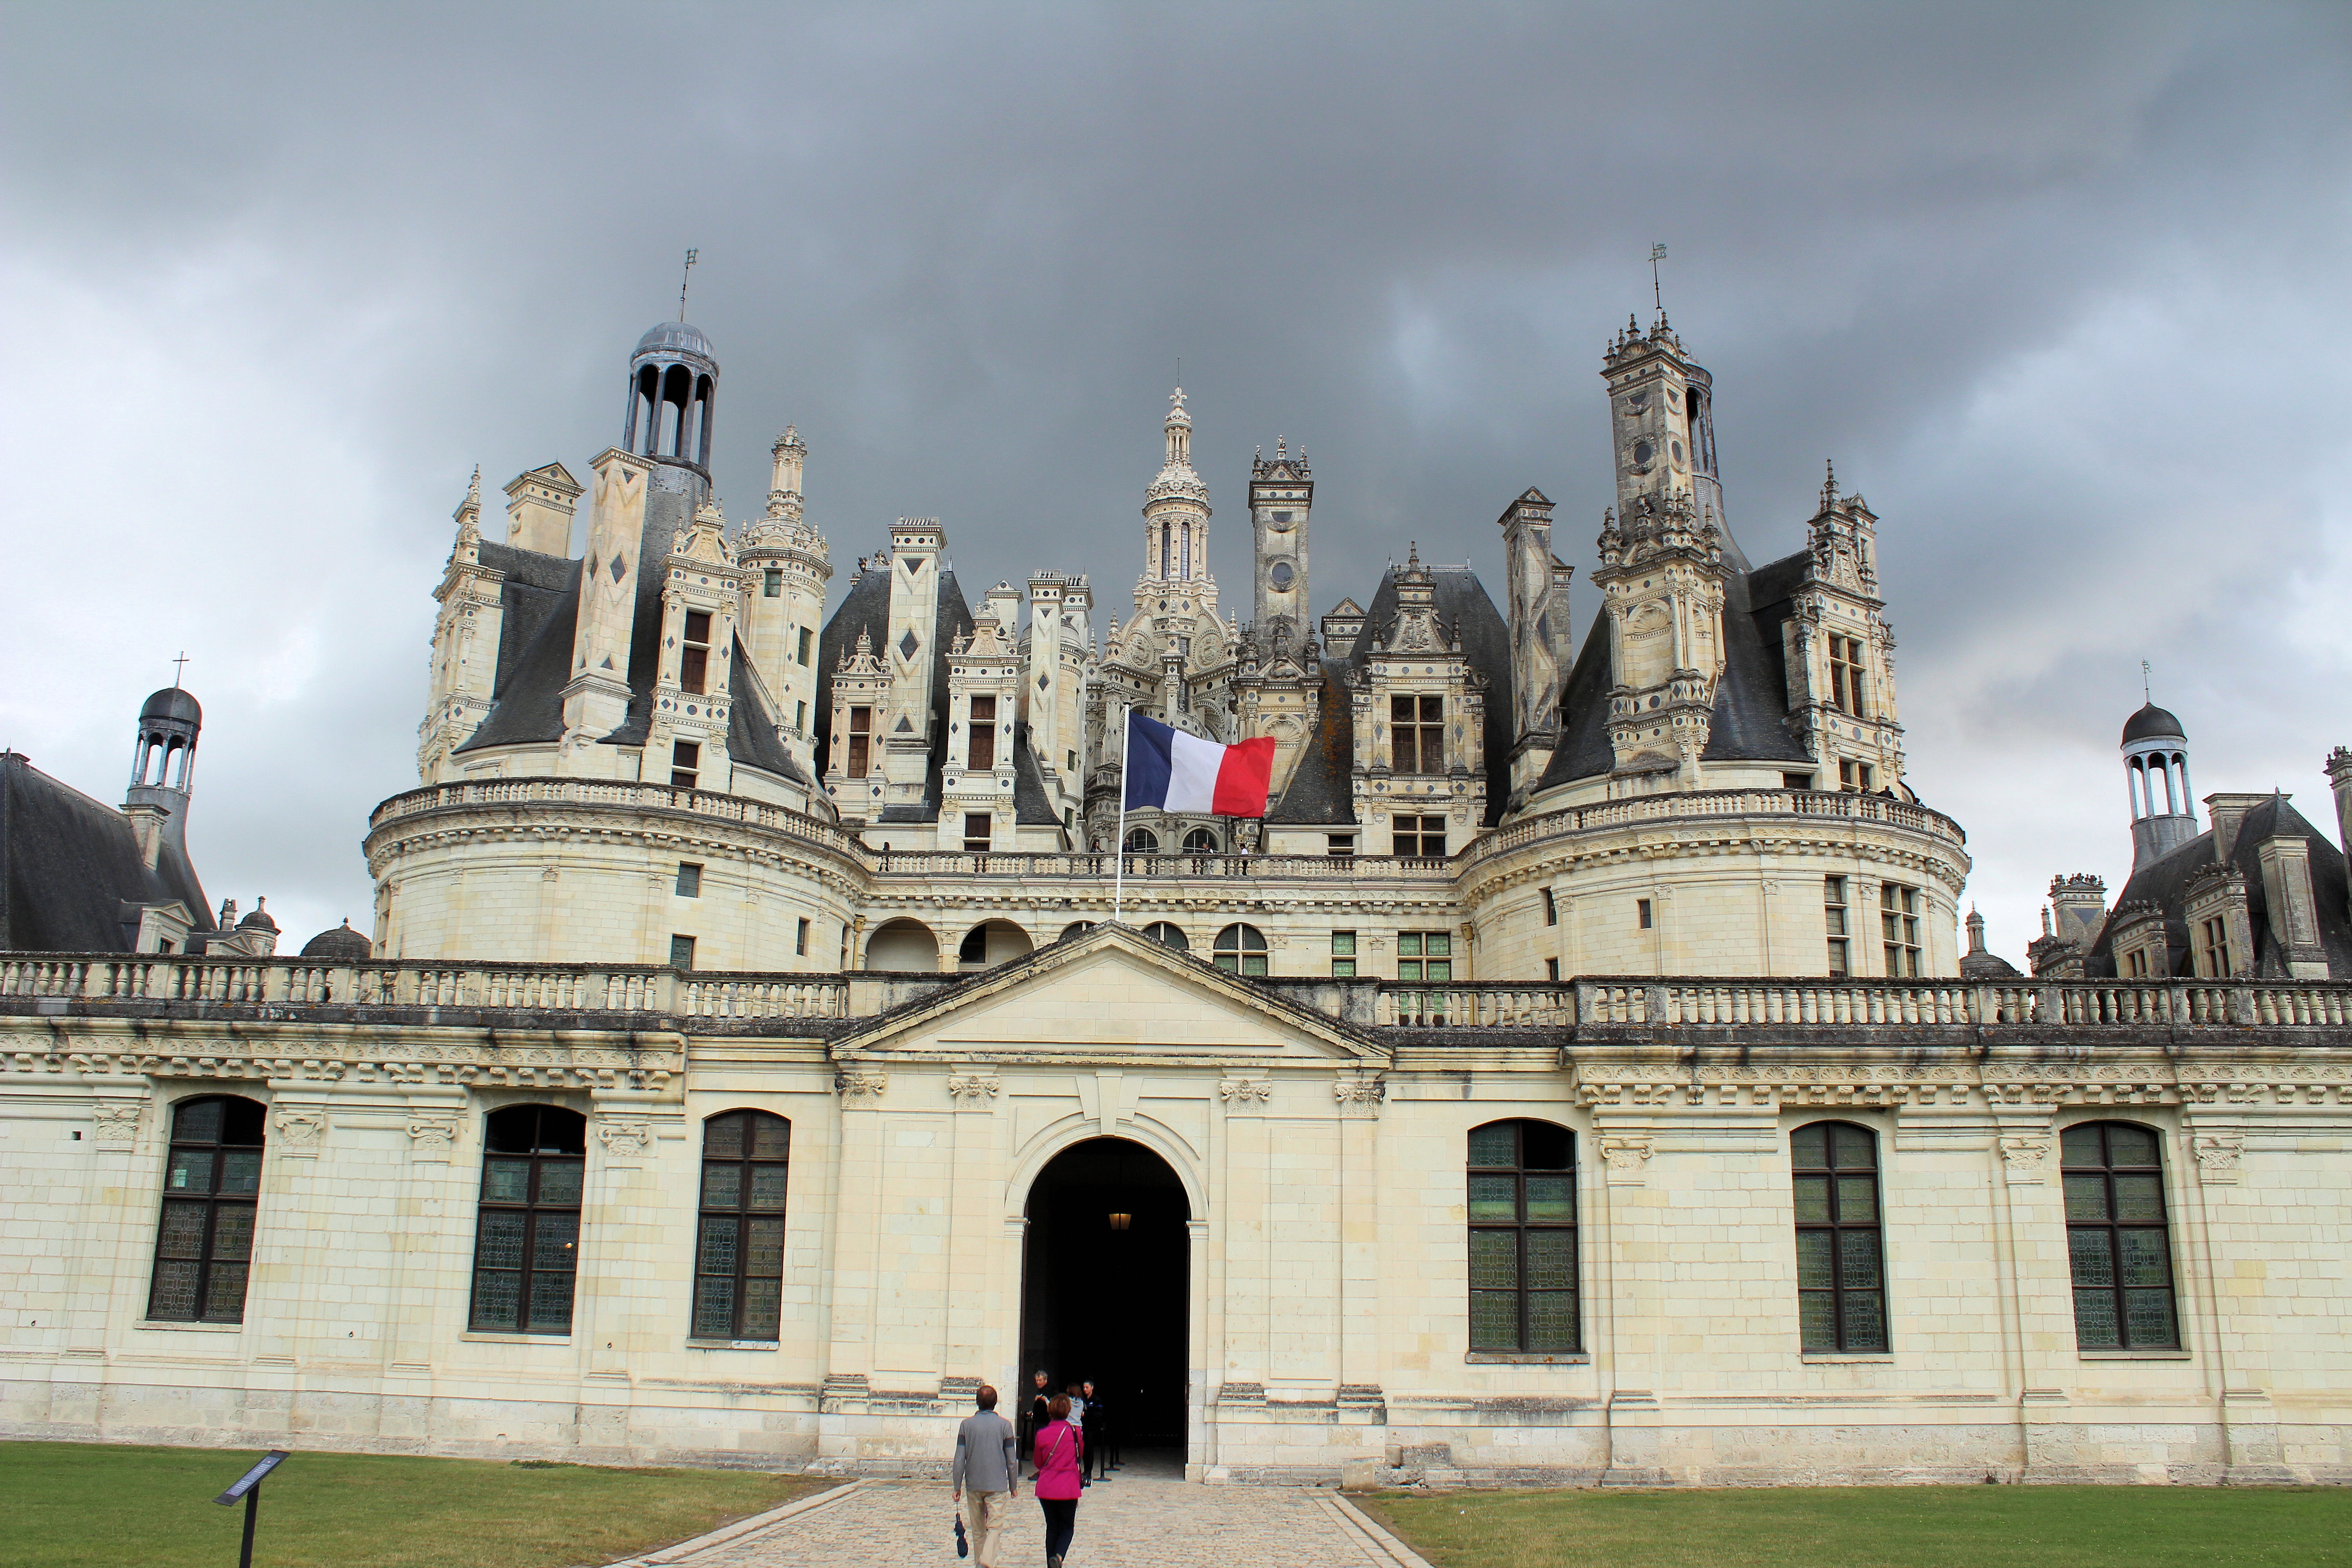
(2116, 1238)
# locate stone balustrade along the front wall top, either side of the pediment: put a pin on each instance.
(171, 984)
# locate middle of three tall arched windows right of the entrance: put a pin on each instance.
(1840, 1271)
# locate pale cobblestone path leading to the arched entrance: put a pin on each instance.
(1128, 1522)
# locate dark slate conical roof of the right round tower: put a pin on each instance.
(1751, 699)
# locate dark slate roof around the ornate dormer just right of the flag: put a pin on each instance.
(1323, 789)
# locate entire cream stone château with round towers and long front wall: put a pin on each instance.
(1643, 934)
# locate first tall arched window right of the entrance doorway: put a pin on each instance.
(1523, 1238)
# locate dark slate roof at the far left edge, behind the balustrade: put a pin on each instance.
(72, 878)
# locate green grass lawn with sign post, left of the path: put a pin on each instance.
(72, 1506)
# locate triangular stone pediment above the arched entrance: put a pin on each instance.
(1111, 996)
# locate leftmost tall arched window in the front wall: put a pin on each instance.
(211, 1191)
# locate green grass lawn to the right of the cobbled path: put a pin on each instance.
(1880, 1527)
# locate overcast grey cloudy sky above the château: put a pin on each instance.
(2062, 288)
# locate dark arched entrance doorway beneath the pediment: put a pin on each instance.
(1107, 1285)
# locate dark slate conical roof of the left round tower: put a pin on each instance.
(540, 603)
